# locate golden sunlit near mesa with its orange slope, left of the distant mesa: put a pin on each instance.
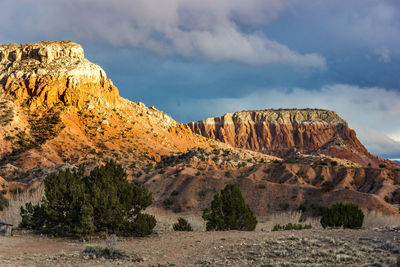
(59, 109)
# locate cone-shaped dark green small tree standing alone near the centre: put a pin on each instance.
(229, 212)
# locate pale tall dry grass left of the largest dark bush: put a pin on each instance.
(11, 214)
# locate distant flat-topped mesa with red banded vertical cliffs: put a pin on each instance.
(284, 131)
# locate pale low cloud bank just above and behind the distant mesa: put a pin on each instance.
(363, 108)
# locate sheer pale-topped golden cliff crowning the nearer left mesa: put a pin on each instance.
(45, 74)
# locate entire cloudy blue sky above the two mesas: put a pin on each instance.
(195, 59)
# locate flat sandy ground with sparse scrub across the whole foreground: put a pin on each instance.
(233, 248)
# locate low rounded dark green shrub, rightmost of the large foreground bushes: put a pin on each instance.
(342, 215)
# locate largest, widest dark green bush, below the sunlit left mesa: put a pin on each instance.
(79, 205)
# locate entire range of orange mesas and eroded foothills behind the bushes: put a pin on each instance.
(58, 110)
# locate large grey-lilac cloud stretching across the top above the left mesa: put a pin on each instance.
(188, 28)
